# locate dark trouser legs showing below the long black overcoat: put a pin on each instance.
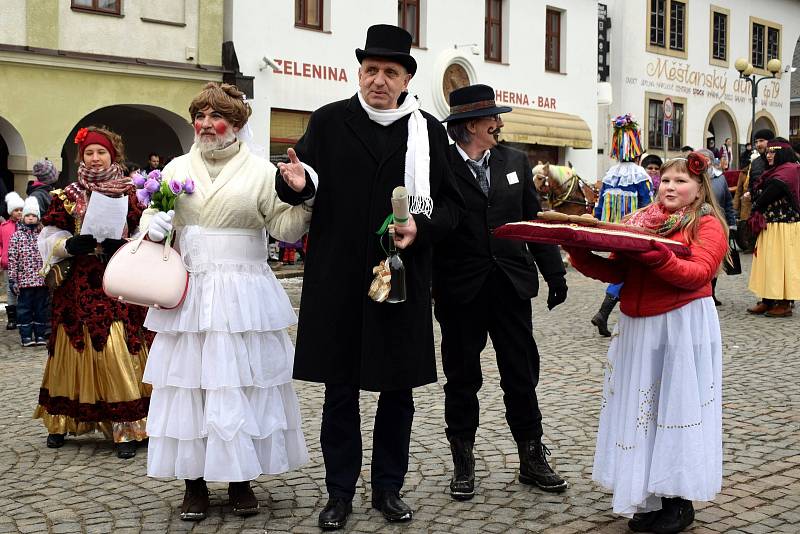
(340, 438)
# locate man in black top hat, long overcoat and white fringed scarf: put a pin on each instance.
(357, 151)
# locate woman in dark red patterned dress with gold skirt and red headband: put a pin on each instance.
(98, 348)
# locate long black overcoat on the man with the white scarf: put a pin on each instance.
(343, 336)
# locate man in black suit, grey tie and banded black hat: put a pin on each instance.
(483, 286)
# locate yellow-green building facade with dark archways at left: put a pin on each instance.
(131, 65)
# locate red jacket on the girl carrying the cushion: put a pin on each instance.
(678, 281)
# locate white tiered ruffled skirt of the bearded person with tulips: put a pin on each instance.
(223, 406)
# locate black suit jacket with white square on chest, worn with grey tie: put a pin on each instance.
(466, 257)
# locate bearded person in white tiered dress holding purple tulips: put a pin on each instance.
(223, 406)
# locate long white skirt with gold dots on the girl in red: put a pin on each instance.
(660, 428)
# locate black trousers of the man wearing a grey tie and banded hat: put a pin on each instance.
(497, 311)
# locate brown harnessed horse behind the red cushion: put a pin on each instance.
(563, 189)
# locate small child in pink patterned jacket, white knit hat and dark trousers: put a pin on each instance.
(24, 264)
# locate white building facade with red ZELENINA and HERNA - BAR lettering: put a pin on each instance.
(538, 55)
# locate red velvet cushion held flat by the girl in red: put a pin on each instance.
(599, 238)
